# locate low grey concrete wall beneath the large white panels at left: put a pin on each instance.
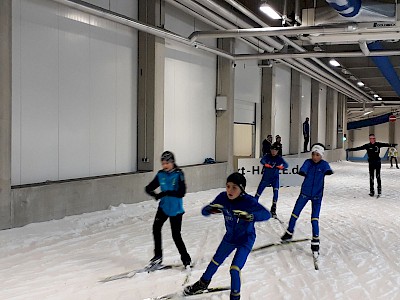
(57, 200)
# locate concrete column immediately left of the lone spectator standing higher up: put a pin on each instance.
(296, 136)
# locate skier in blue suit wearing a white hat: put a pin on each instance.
(314, 171)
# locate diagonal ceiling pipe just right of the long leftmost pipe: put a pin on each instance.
(203, 12)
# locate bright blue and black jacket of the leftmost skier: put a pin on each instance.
(173, 189)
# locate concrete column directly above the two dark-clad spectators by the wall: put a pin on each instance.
(266, 103)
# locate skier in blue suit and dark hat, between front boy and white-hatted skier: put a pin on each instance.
(272, 164)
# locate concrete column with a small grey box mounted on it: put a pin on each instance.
(225, 119)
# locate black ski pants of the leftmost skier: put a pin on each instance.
(176, 225)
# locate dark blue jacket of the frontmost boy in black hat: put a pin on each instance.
(238, 231)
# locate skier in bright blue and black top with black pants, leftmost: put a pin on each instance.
(171, 181)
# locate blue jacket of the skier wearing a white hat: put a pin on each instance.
(314, 175)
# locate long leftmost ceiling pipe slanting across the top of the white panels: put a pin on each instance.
(109, 15)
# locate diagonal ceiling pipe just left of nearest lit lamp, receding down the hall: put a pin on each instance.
(287, 41)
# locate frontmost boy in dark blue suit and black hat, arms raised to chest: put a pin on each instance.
(240, 211)
